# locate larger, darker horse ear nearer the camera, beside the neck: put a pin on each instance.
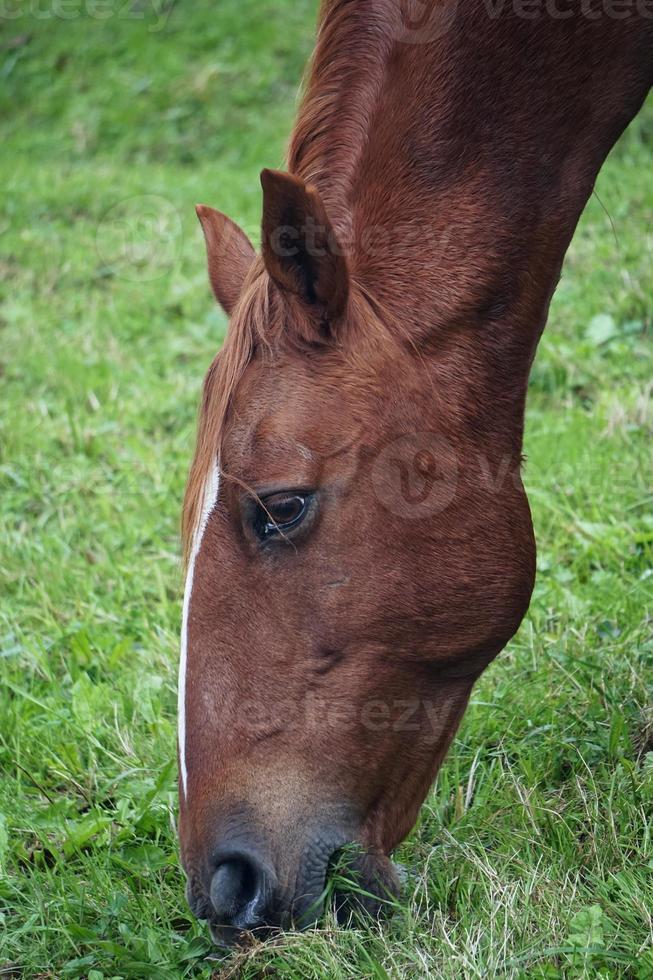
(300, 248)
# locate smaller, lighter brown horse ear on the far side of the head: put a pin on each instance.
(230, 255)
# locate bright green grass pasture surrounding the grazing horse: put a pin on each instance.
(533, 854)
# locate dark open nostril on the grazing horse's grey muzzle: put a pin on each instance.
(237, 892)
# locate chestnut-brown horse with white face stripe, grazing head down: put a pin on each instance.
(359, 542)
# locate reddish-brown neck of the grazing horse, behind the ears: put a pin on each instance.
(456, 169)
